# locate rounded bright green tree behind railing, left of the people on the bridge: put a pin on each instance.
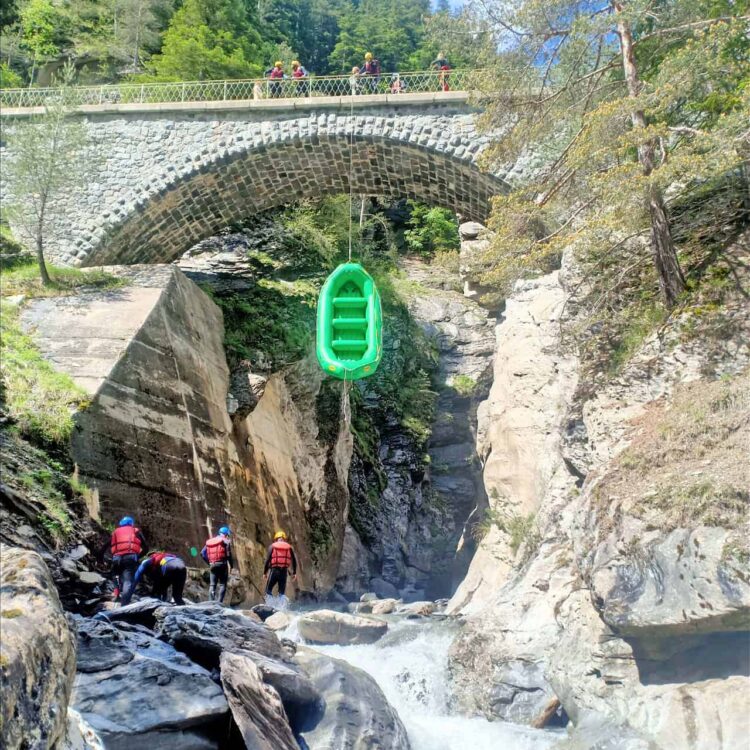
(209, 39)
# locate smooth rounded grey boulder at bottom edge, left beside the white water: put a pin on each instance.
(357, 714)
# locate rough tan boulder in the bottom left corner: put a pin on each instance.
(37, 653)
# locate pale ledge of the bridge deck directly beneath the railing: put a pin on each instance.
(342, 103)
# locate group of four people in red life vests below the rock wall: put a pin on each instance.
(167, 572)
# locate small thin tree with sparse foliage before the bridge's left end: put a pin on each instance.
(50, 154)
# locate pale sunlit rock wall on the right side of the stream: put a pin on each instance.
(625, 608)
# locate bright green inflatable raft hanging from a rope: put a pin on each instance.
(350, 324)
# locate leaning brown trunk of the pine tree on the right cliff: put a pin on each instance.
(671, 280)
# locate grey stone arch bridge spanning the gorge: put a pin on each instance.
(173, 174)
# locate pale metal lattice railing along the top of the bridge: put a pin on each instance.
(243, 90)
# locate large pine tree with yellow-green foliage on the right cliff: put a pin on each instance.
(583, 85)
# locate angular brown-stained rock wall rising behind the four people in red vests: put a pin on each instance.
(157, 440)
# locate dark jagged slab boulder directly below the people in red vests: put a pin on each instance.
(203, 631)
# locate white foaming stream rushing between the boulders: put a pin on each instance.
(410, 664)
